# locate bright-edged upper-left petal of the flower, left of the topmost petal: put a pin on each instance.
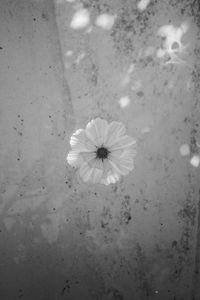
(79, 142)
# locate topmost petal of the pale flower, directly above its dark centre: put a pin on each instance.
(97, 131)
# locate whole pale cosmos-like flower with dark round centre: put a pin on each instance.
(102, 152)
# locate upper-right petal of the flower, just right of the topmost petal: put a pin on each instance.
(115, 130)
